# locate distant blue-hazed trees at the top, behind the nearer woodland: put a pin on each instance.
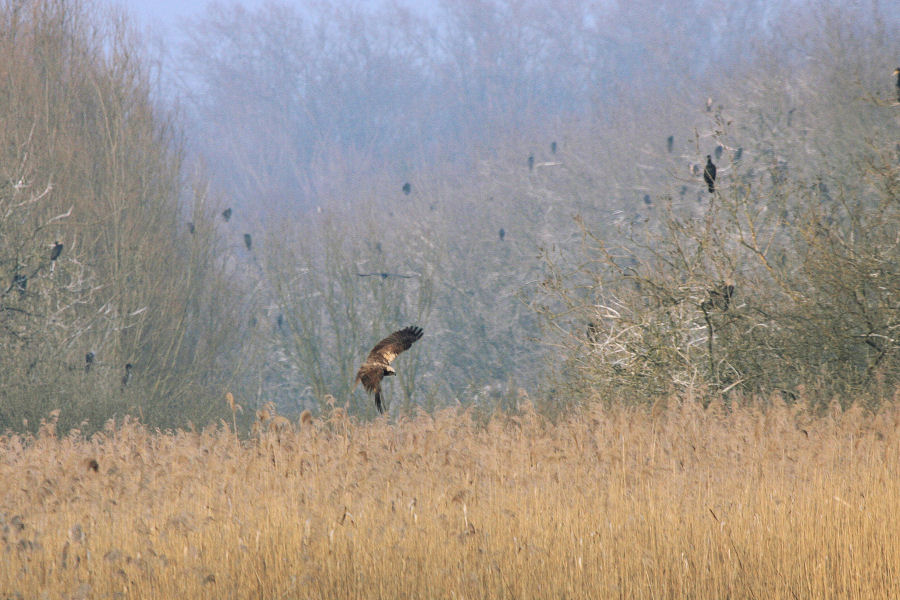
(293, 105)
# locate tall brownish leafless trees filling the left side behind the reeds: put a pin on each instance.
(97, 268)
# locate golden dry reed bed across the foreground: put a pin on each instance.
(675, 501)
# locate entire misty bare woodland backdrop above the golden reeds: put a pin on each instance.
(521, 179)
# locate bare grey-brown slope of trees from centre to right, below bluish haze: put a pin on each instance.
(648, 252)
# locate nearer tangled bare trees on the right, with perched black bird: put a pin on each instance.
(785, 279)
